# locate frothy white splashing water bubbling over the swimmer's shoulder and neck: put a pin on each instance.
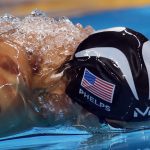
(49, 42)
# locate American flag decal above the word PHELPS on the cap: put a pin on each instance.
(97, 86)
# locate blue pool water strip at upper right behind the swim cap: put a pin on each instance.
(137, 19)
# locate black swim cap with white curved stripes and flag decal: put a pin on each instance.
(110, 75)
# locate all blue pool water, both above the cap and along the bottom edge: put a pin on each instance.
(64, 138)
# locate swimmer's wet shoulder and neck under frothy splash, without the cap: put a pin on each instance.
(32, 81)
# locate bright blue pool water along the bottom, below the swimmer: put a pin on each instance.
(43, 139)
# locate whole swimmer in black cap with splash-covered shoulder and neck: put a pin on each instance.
(46, 65)
